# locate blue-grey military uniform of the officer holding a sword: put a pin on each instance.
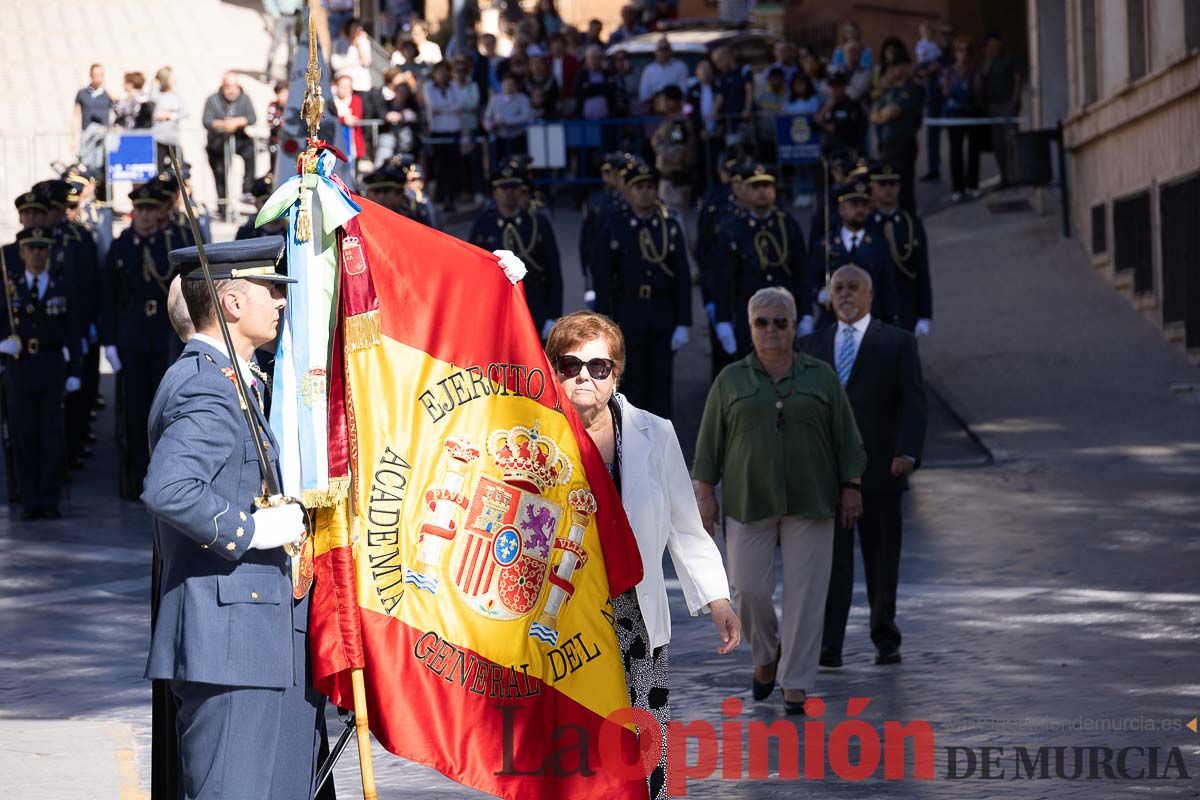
(229, 635)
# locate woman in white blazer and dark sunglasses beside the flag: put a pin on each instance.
(644, 459)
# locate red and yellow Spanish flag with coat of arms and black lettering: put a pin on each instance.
(471, 569)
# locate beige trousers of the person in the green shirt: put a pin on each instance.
(807, 546)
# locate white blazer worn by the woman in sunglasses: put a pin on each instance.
(656, 490)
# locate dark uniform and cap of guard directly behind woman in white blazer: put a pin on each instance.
(644, 282)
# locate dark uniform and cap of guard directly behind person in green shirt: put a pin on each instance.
(754, 254)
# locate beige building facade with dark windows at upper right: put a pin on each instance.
(1124, 77)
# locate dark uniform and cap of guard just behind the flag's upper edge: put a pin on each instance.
(531, 237)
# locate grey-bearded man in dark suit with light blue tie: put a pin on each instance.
(880, 369)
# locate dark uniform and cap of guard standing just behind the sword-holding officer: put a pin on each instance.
(134, 317)
